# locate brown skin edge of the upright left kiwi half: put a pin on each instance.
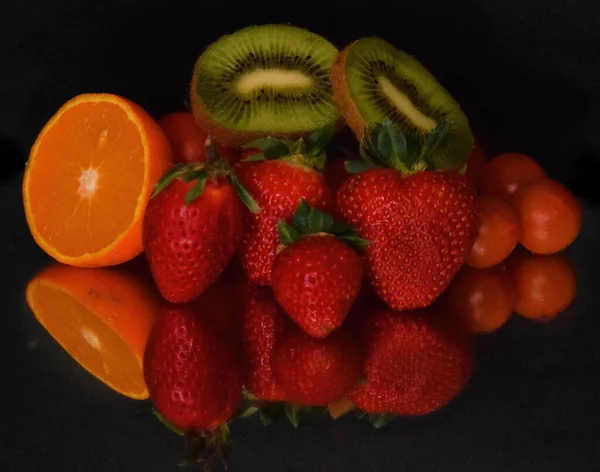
(232, 138)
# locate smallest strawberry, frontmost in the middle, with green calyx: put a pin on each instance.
(317, 276)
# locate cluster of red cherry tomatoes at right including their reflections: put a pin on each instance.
(516, 264)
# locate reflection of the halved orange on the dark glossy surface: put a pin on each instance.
(101, 317)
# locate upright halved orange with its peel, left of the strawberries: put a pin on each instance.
(89, 177)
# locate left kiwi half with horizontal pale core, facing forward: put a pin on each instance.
(264, 80)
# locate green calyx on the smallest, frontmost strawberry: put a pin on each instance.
(309, 220)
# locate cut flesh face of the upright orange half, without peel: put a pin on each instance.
(98, 177)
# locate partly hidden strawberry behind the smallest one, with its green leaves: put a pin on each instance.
(278, 178)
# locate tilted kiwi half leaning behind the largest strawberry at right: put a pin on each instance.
(373, 81)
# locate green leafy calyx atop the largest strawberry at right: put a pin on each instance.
(384, 145)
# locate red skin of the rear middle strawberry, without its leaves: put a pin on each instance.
(278, 187)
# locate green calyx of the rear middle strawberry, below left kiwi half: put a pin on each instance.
(309, 152)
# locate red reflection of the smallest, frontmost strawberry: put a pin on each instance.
(316, 372)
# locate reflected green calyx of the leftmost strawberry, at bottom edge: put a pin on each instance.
(202, 446)
